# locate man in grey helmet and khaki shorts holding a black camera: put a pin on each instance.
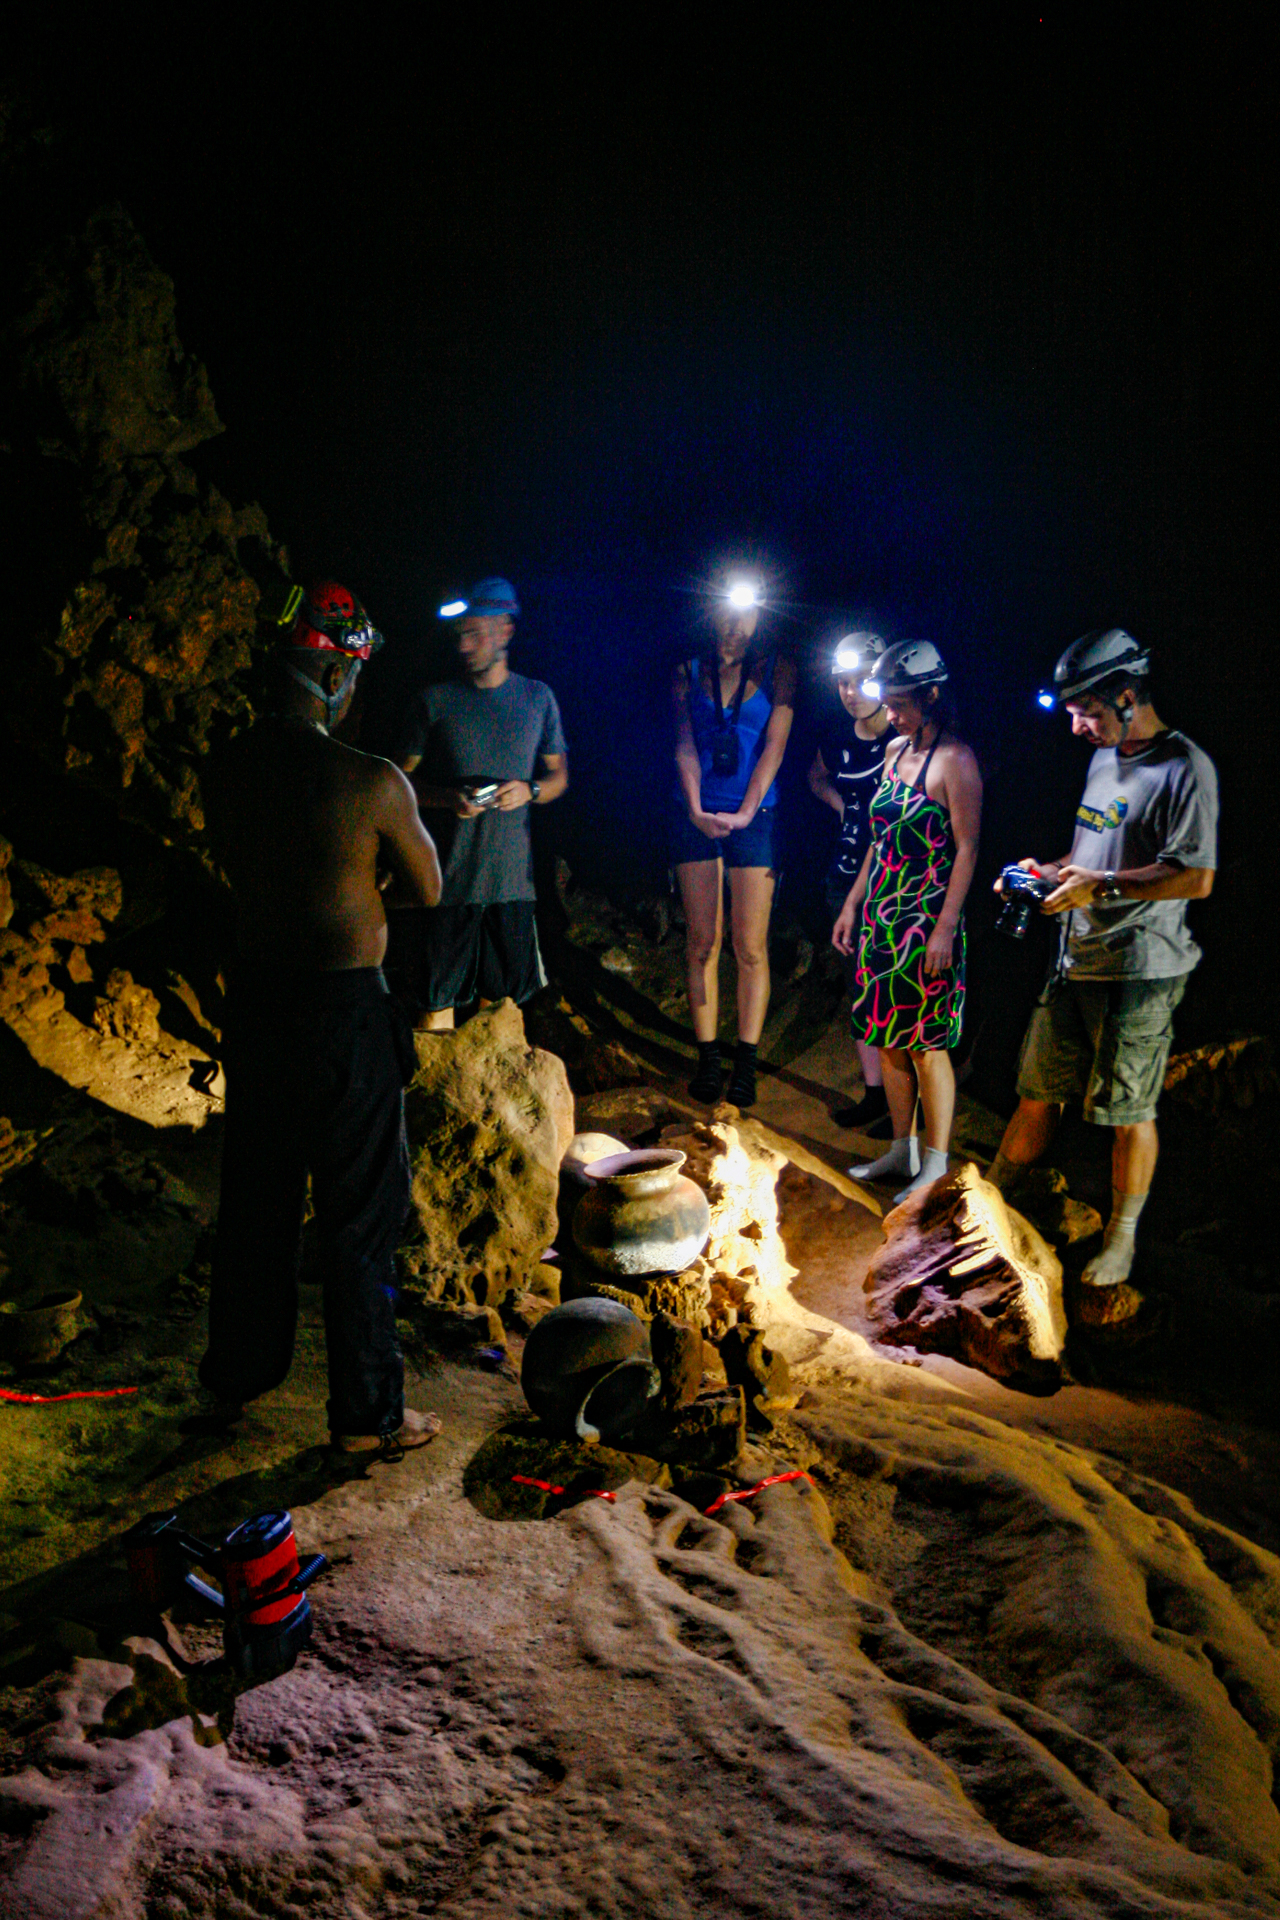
(1145, 846)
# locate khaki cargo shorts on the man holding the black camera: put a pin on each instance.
(1101, 1042)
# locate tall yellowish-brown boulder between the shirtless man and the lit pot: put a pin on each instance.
(490, 1120)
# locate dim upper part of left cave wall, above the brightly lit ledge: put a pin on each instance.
(139, 663)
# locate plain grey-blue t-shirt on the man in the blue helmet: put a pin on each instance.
(465, 732)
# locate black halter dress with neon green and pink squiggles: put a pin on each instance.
(913, 857)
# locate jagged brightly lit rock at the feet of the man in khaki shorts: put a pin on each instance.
(966, 1276)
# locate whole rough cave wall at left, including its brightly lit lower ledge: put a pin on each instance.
(130, 652)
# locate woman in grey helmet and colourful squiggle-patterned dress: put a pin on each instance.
(903, 915)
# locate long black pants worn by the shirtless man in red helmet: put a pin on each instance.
(316, 1076)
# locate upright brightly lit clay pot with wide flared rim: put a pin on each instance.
(642, 1214)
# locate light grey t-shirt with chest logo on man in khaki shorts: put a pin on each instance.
(1154, 805)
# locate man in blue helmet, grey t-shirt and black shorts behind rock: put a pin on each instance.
(483, 750)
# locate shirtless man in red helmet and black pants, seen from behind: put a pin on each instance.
(316, 1055)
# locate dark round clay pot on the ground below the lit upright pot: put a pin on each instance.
(588, 1372)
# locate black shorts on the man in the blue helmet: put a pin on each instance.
(456, 955)
